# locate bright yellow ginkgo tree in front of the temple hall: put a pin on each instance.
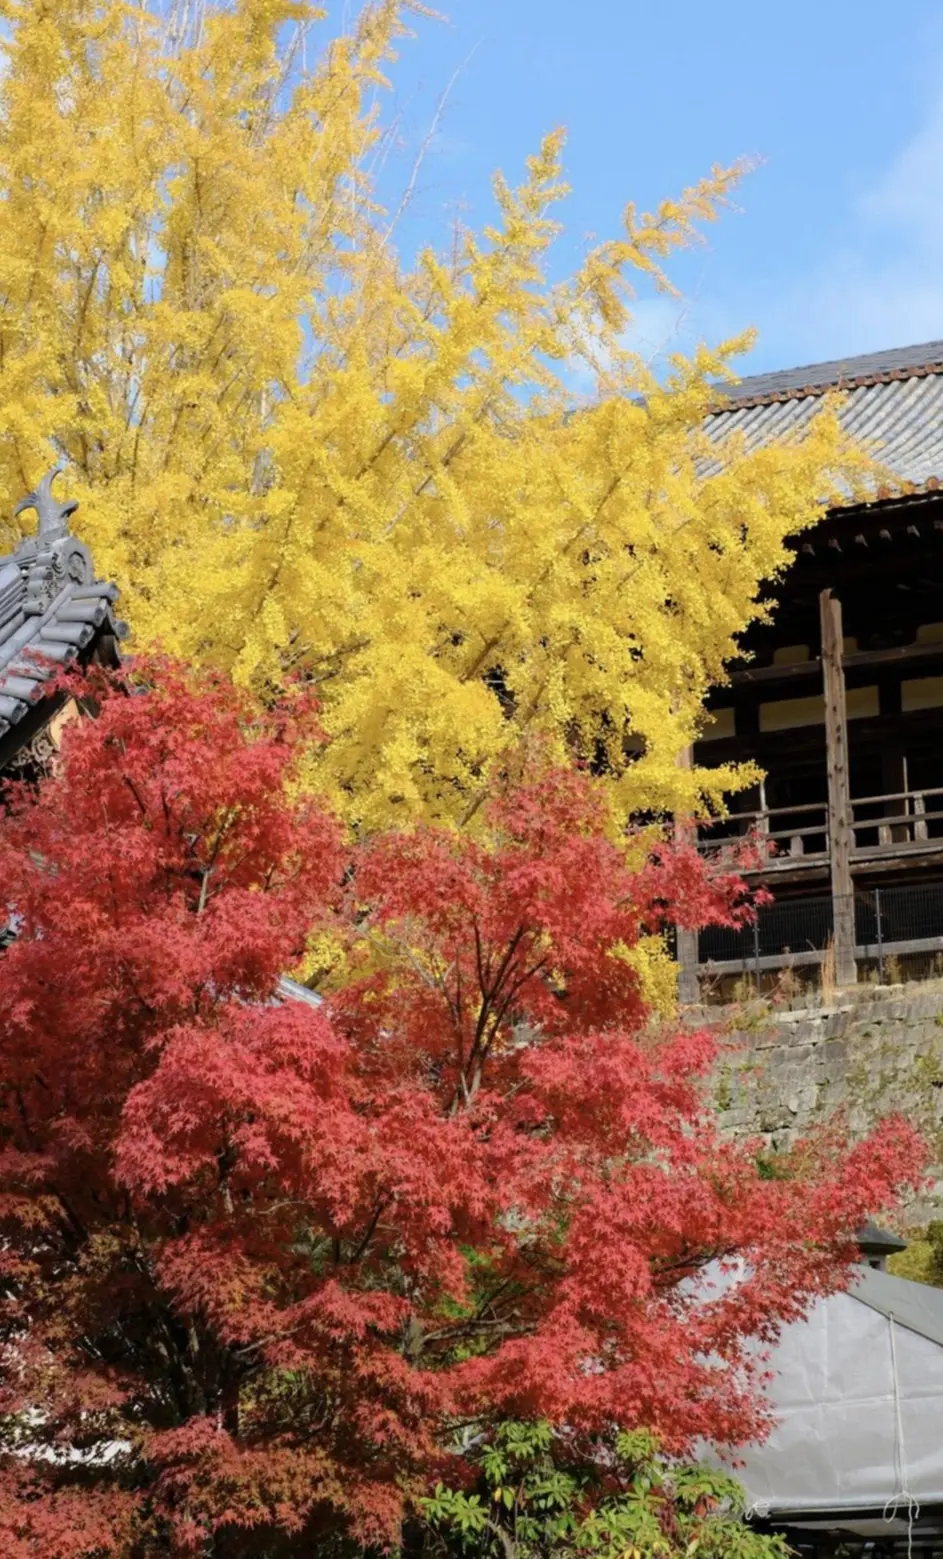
(298, 451)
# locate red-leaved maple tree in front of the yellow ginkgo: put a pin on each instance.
(258, 1257)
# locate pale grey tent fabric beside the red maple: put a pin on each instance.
(858, 1395)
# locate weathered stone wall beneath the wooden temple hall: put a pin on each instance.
(867, 1053)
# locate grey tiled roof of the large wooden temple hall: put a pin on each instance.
(892, 403)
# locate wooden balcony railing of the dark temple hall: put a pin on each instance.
(892, 824)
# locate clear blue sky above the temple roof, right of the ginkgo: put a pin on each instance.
(838, 244)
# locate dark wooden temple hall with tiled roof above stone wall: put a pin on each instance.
(839, 699)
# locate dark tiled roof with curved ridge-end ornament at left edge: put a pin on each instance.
(52, 607)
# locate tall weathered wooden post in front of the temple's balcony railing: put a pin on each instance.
(839, 793)
